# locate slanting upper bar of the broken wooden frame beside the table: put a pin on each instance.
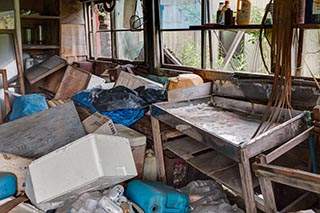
(288, 146)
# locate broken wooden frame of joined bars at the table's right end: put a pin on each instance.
(292, 177)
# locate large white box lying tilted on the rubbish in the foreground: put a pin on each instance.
(90, 163)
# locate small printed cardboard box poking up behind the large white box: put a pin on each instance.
(99, 124)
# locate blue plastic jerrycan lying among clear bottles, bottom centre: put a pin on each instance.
(155, 197)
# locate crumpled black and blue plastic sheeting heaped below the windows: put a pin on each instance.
(123, 105)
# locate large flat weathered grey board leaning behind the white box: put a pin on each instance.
(41, 133)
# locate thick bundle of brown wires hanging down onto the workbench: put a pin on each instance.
(284, 24)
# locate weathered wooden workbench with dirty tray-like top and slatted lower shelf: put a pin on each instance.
(224, 128)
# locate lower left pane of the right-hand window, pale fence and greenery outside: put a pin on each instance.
(182, 48)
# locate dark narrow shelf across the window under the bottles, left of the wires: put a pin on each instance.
(231, 27)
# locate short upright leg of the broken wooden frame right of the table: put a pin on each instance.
(267, 190)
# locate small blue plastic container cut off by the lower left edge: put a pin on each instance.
(8, 185)
